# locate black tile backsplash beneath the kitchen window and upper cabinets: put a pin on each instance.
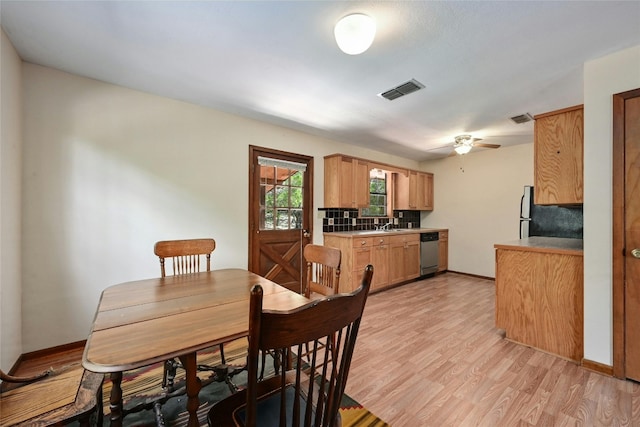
(342, 220)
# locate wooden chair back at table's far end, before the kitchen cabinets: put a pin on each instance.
(323, 270)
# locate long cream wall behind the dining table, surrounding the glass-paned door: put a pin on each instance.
(108, 171)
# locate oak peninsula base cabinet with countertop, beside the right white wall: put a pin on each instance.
(539, 294)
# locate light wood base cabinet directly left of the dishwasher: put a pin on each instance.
(404, 258)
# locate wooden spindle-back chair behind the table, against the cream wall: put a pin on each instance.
(189, 256)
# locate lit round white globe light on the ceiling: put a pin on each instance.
(354, 33)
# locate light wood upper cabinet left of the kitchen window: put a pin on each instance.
(346, 182)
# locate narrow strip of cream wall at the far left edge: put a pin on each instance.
(10, 193)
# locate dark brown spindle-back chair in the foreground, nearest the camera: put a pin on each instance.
(298, 395)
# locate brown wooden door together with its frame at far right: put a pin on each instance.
(626, 234)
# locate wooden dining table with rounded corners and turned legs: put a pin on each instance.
(148, 321)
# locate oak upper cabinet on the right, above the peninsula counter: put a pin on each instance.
(558, 147)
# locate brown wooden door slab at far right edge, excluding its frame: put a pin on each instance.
(632, 237)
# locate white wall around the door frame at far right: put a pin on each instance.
(603, 78)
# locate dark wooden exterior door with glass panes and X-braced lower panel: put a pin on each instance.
(280, 214)
